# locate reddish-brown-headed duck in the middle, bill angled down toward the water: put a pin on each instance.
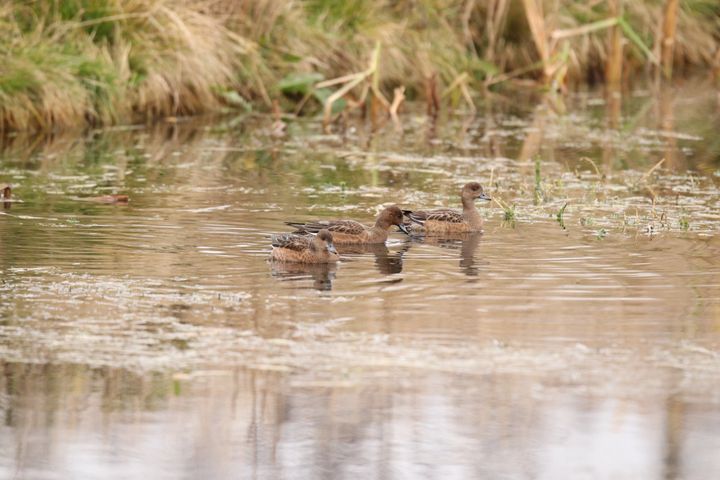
(346, 232)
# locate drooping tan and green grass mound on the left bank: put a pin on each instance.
(67, 63)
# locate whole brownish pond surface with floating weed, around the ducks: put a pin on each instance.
(153, 339)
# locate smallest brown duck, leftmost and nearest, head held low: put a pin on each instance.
(318, 248)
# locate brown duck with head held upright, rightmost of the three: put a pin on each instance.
(445, 220)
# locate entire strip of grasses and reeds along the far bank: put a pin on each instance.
(74, 63)
